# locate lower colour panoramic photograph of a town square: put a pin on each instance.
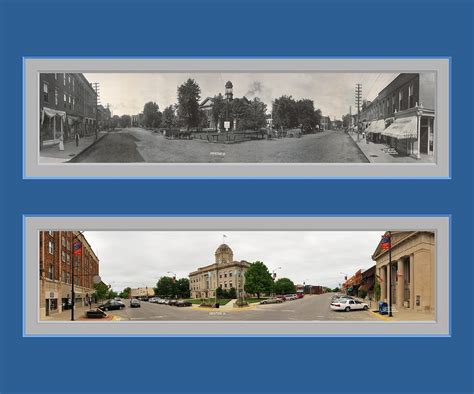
(113, 276)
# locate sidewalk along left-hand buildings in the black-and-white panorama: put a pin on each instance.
(52, 154)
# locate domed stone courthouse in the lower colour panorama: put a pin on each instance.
(225, 273)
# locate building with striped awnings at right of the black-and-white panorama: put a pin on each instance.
(402, 115)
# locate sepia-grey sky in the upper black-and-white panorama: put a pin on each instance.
(333, 93)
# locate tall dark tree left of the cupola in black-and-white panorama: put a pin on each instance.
(189, 94)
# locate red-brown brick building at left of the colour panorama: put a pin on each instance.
(55, 271)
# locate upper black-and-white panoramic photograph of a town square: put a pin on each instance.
(238, 117)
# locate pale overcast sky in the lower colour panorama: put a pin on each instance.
(140, 258)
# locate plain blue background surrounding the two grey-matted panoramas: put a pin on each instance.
(247, 28)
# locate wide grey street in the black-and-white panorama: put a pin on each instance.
(133, 145)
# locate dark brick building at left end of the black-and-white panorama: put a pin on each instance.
(67, 106)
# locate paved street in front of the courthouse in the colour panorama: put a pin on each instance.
(315, 307)
